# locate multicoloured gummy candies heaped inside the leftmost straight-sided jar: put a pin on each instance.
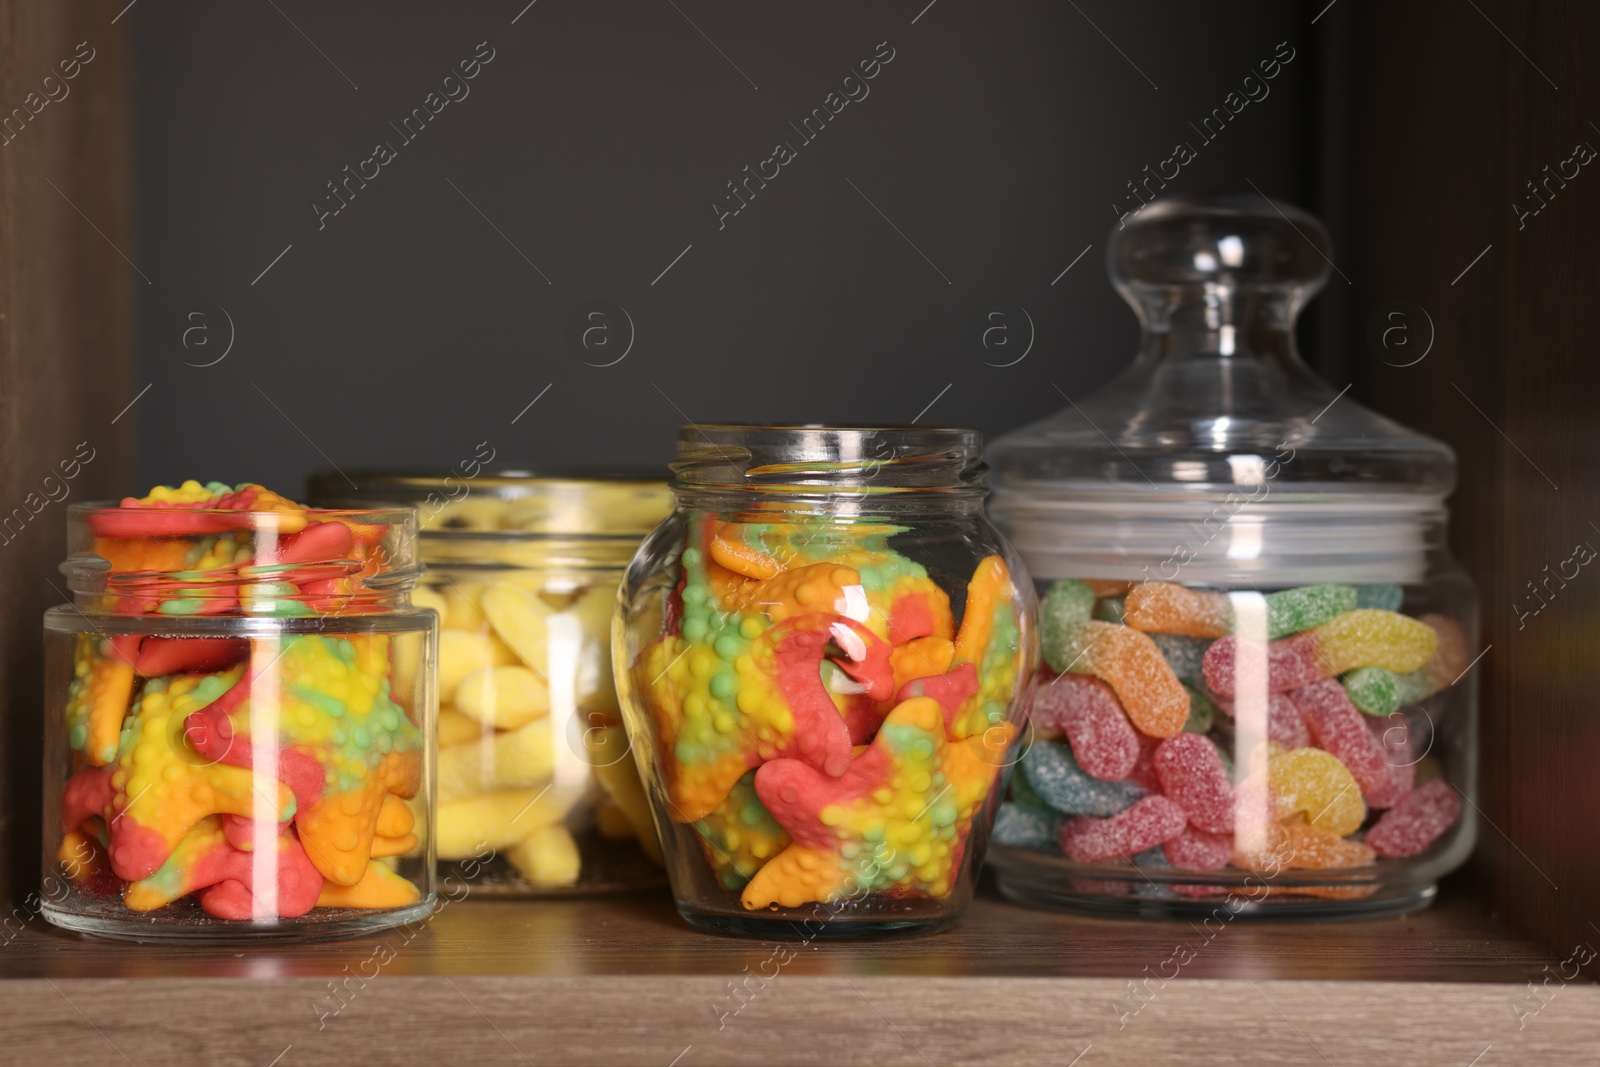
(190, 749)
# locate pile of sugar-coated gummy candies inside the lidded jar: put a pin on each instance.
(1329, 685)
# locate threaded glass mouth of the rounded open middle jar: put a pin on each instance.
(822, 460)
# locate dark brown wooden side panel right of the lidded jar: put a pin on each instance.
(1452, 110)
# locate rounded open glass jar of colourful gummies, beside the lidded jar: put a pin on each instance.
(820, 657)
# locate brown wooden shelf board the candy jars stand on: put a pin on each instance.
(625, 981)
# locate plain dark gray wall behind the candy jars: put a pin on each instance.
(586, 158)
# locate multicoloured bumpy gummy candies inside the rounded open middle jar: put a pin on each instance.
(820, 721)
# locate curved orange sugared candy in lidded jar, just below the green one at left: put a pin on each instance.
(1129, 661)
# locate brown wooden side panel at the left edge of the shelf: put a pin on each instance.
(63, 346)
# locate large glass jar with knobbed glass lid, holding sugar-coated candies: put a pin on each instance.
(1257, 684)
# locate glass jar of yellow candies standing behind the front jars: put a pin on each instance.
(537, 796)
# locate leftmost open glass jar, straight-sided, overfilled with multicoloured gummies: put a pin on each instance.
(238, 671)
